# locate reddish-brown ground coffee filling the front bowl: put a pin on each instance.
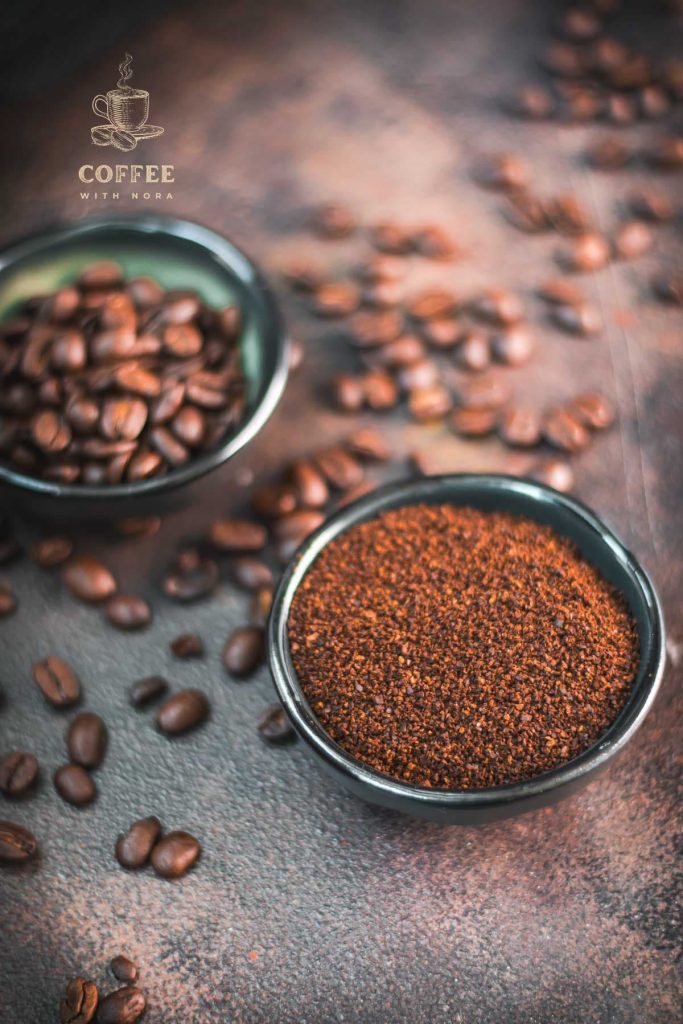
(459, 650)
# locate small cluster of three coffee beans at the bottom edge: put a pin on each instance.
(82, 1003)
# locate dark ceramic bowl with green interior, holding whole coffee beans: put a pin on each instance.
(179, 254)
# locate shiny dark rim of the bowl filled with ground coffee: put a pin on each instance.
(393, 791)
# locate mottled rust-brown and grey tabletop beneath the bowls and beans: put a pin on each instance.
(309, 907)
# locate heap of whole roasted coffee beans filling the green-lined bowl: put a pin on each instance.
(109, 380)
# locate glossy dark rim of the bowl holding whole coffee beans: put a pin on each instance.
(235, 262)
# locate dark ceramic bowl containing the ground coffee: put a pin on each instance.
(534, 501)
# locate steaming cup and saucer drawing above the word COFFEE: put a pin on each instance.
(126, 111)
